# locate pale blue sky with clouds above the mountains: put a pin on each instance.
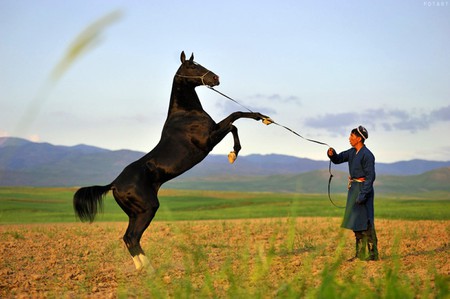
(320, 68)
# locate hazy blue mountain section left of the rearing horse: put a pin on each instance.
(26, 163)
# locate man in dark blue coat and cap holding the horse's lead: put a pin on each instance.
(359, 211)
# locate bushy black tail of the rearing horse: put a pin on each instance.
(88, 200)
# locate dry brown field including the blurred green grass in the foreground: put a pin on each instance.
(303, 257)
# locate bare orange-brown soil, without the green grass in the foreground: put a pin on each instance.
(81, 260)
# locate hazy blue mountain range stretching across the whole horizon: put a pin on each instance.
(26, 163)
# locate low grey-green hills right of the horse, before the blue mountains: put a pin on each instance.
(317, 182)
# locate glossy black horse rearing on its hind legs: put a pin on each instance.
(189, 134)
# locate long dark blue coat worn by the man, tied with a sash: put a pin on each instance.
(359, 210)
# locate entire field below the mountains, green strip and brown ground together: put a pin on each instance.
(295, 250)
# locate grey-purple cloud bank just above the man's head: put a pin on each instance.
(388, 119)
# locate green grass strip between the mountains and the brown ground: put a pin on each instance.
(41, 205)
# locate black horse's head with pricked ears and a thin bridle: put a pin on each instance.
(194, 74)
